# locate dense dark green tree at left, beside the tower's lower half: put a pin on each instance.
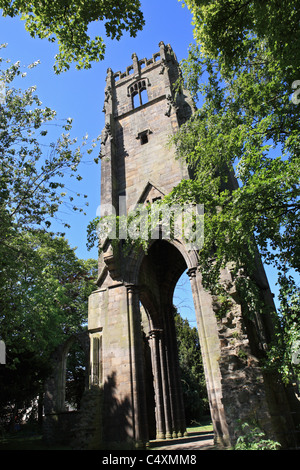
(42, 303)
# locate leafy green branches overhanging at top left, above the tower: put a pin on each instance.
(68, 23)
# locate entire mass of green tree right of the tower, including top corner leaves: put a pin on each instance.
(243, 144)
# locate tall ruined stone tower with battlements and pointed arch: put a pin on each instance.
(131, 325)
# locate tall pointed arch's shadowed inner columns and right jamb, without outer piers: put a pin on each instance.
(159, 272)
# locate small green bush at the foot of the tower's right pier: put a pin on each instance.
(253, 438)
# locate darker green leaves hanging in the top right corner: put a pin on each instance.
(222, 27)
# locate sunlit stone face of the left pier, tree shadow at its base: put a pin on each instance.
(109, 314)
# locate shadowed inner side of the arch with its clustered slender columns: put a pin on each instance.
(156, 286)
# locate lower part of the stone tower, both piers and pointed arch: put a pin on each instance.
(237, 386)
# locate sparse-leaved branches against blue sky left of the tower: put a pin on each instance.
(32, 167)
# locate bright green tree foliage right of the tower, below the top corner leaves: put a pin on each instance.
(242, 117)
